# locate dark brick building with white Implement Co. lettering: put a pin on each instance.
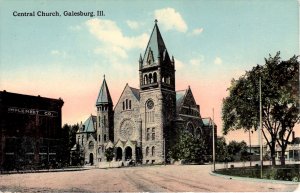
(29, 130)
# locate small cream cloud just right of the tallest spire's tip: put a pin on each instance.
(170, 19)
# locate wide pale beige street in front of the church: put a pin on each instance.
(138, 179)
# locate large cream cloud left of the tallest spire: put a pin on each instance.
(114, 47)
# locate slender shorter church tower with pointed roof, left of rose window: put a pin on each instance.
(105, 118)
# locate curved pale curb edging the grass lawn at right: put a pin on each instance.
(254, 179)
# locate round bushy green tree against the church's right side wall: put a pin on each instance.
(190, 148)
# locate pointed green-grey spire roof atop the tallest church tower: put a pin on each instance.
(155, 47)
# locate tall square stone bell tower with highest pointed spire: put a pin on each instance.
(157, 97)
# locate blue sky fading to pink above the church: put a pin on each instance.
(212, 42)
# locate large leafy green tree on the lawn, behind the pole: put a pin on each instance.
(280, 92)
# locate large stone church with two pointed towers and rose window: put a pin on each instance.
(141, 125)
